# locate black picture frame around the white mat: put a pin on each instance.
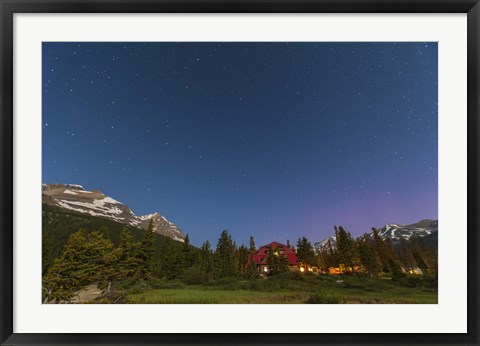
(10, 7)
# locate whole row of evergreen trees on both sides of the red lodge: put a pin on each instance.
(91, 258)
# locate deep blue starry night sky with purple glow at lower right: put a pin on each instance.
(275, 140)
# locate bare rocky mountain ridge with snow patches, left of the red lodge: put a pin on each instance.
(75, 198)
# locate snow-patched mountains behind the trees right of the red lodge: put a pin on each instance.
(393, 231)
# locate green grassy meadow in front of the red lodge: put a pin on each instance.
(317, 290)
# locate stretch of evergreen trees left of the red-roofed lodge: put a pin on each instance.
(91, 258)
